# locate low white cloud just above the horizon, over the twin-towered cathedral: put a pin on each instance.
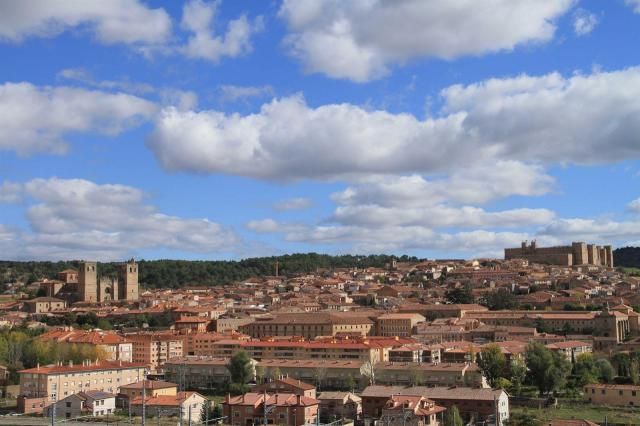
(76, 218)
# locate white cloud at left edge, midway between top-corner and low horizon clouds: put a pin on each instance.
(35, 119)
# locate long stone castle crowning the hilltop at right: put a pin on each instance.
(578, 253)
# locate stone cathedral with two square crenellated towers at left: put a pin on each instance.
(84, 286)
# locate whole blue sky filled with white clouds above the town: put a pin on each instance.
(235, 128)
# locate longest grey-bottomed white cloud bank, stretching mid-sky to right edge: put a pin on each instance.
(583, 119)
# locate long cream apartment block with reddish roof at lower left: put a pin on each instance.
(43, 385)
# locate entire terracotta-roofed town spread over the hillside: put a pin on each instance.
(547, 334)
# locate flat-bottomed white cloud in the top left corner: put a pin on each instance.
(113, 21)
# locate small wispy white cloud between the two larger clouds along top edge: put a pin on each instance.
(198, 18)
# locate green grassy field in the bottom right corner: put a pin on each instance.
(581, 411)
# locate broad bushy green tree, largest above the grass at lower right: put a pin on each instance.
(548, 370)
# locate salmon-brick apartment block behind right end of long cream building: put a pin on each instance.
(154, 349)
